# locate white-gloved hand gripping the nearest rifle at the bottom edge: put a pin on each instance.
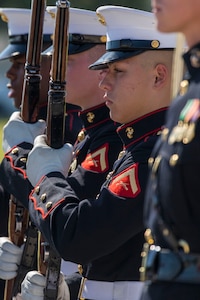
(32, 287)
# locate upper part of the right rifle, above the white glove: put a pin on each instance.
(57, 85)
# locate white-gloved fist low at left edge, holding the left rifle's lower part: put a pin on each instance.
(10, 257)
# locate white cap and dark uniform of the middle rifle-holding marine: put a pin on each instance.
(98, 143)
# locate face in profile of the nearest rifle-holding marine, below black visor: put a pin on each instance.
(127, 85)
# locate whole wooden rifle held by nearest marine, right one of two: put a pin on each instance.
(50, 265)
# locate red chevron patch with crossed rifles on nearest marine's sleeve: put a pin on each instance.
(126, 183)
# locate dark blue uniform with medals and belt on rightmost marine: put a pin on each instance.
(172, 206)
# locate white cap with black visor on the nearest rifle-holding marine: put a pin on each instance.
(130, 32)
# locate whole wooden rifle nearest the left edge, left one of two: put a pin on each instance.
(18, 215)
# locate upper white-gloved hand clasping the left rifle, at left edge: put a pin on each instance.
(17, 131)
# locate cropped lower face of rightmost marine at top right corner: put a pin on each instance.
(178, 16)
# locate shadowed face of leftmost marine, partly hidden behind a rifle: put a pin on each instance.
(16, 76)
